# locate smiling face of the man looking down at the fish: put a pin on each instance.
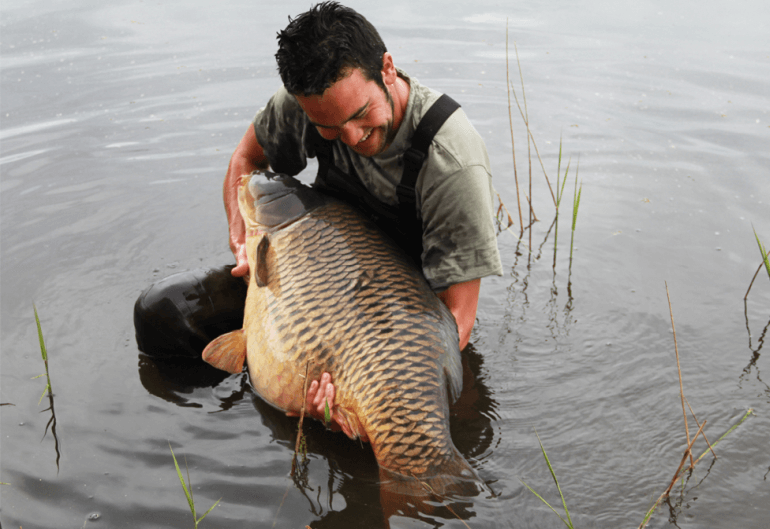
(354, 110)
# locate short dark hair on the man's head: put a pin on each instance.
(318, 47)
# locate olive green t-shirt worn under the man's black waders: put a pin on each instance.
(453, 190)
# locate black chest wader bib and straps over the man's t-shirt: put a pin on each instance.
(402, 222)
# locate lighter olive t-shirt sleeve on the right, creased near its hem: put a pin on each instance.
(459, 239)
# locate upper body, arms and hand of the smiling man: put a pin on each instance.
(344, 102)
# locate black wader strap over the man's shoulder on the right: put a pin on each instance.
(415, 156)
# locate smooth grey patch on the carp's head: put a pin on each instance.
(280, 200)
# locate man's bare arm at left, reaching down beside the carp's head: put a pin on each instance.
(247, 157)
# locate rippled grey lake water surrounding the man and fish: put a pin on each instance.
(117, 125)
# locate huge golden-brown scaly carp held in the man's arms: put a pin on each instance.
(329, 292)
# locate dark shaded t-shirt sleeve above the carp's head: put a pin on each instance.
(281, 128)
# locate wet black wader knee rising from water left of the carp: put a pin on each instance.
(181, 314)
